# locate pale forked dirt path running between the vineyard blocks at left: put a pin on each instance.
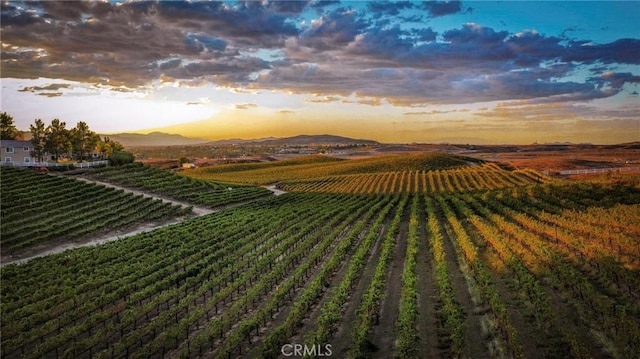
(46, 249)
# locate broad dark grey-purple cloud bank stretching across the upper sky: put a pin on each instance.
(343, 51)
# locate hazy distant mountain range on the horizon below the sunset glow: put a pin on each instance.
(165, 139)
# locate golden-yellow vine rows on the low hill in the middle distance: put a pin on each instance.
(464, 179)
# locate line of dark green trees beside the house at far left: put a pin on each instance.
(57, 141)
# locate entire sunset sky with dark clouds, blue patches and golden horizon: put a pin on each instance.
(394, 71)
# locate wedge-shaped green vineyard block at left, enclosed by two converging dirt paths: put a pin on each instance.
(37, 207)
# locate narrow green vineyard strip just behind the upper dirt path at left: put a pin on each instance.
(171, 185)
